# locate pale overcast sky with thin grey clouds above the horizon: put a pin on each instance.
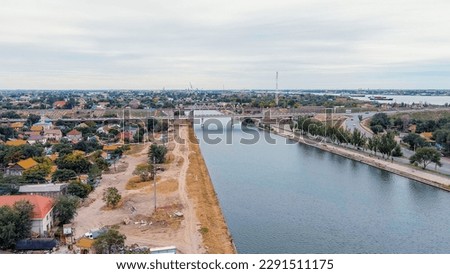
(313, 44)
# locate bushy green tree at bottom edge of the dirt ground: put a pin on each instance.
(109, 242)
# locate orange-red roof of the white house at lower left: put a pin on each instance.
(42, 205)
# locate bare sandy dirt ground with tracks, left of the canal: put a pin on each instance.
(135, 216)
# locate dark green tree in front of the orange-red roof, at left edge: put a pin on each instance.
(15, 223)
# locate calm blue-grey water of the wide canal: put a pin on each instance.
(292, 198)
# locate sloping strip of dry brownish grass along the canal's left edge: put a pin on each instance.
(216, 236)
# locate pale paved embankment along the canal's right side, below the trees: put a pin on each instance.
(439, 181)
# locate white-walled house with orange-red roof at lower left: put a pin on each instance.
(42, 219)
